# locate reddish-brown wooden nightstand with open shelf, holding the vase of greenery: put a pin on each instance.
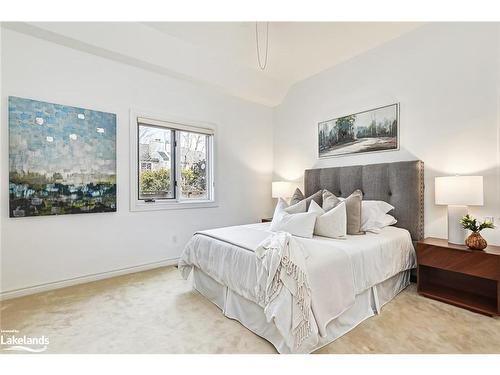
(457, 275)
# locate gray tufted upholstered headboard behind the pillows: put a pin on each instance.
(400, 184)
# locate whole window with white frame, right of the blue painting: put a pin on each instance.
(173, 165)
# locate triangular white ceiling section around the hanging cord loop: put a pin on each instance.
(297, 50)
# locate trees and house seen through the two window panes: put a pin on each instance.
(157, 162)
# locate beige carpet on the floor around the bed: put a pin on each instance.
(157, 312)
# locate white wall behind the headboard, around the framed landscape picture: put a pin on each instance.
(446, 77)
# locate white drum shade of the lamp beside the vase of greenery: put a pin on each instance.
(459, 190)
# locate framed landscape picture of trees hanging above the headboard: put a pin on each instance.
(369, 131)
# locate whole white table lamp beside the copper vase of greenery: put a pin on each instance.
(458, 192)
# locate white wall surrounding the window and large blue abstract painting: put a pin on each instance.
(41, 250)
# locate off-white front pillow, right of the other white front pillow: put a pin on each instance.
(332, 223)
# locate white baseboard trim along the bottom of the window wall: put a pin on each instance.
(15, 293)
